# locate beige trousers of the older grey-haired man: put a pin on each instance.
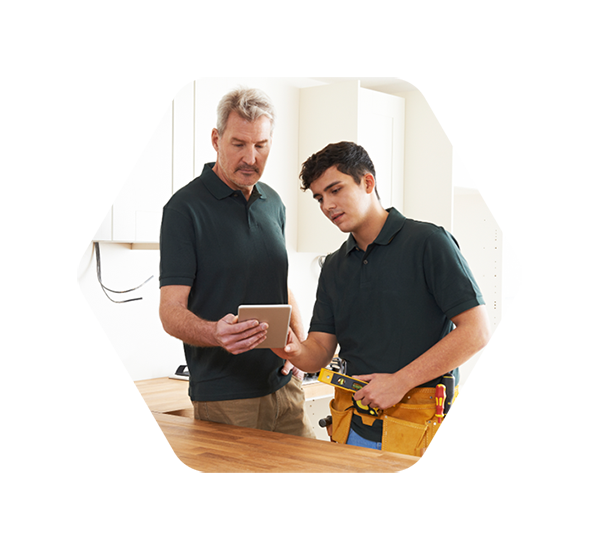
(281, 412)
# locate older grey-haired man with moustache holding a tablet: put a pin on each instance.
(223, 245)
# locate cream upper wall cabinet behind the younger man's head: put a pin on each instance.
(348, 112)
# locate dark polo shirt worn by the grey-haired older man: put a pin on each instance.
(230, 252)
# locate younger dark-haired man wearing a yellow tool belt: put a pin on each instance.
(399, 299)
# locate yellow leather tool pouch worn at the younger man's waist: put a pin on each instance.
(408, 427)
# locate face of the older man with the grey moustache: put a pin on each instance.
(242, 150)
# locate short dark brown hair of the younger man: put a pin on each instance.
(349, 158)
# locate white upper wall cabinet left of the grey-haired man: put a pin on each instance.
(165, 165)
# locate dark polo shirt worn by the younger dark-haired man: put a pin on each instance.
(392, 303)
